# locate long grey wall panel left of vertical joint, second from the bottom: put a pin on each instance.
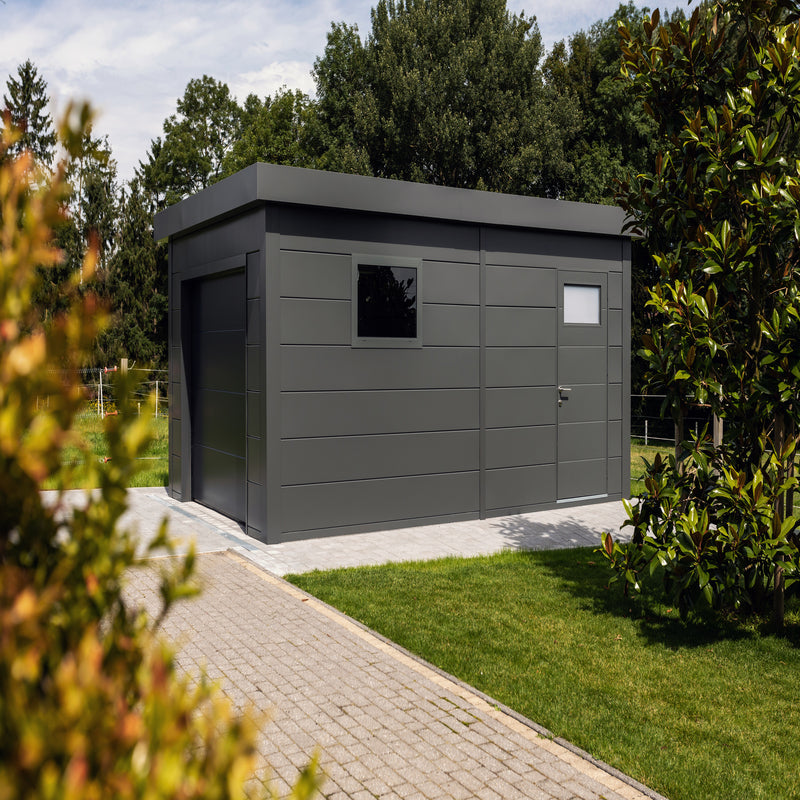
(344, 458)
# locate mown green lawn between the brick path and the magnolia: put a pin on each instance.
(690, 710)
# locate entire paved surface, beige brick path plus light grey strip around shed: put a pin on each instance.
(386, 725)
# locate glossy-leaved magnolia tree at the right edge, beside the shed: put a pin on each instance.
(720, 212)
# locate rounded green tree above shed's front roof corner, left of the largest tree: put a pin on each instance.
(272, 130)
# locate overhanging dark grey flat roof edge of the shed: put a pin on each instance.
(271, 183)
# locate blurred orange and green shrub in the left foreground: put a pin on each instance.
(91, 704)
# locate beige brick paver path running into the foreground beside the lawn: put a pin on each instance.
(387, 725)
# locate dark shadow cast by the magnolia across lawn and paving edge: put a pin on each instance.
(584, 574)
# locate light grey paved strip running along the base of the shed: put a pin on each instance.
(212, 532)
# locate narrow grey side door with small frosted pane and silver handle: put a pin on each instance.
(582, 389)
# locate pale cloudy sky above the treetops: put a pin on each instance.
(132, 59)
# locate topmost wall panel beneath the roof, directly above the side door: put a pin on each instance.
(573, 251)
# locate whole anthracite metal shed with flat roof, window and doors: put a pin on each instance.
(352, 353)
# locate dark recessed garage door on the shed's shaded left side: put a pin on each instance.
(218, 394)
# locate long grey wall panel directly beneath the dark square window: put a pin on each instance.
(345, 368)
